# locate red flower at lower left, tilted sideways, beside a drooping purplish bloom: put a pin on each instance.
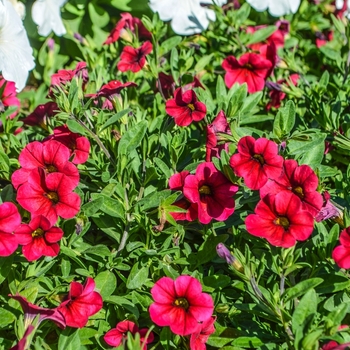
(81, 303)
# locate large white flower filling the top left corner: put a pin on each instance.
(16, 55)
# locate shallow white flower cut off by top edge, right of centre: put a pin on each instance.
(276, 8)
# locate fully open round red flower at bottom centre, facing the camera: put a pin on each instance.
(180, 304)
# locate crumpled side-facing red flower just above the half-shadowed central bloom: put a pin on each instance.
(214, 130)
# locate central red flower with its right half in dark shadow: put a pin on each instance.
(212, 192)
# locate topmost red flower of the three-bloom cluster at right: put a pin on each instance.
(256, 161)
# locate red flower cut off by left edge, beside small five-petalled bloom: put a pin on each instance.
(9, 221)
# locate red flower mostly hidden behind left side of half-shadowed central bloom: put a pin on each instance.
(176, 183)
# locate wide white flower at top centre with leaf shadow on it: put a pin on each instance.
(187, 16)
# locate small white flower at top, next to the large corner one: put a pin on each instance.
(47, 15)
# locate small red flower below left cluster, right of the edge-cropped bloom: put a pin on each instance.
(38, 238)
